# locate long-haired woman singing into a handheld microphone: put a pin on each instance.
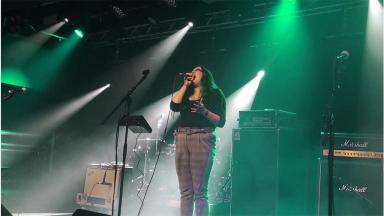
(202, 108)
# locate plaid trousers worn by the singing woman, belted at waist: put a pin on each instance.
(195, 151)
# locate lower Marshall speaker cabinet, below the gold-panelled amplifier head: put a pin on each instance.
(358, 187)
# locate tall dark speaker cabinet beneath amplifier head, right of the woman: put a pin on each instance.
(265, 178)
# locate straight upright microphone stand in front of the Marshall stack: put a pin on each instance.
(336, 71)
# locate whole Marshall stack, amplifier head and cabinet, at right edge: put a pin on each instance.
(358, 175)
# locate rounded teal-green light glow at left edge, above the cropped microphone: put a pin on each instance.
(14, 76)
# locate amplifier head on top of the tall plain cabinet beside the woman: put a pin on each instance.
(267, 118)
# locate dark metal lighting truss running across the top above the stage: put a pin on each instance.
(217, 20)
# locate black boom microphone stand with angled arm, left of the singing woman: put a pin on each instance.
(126, 99)
